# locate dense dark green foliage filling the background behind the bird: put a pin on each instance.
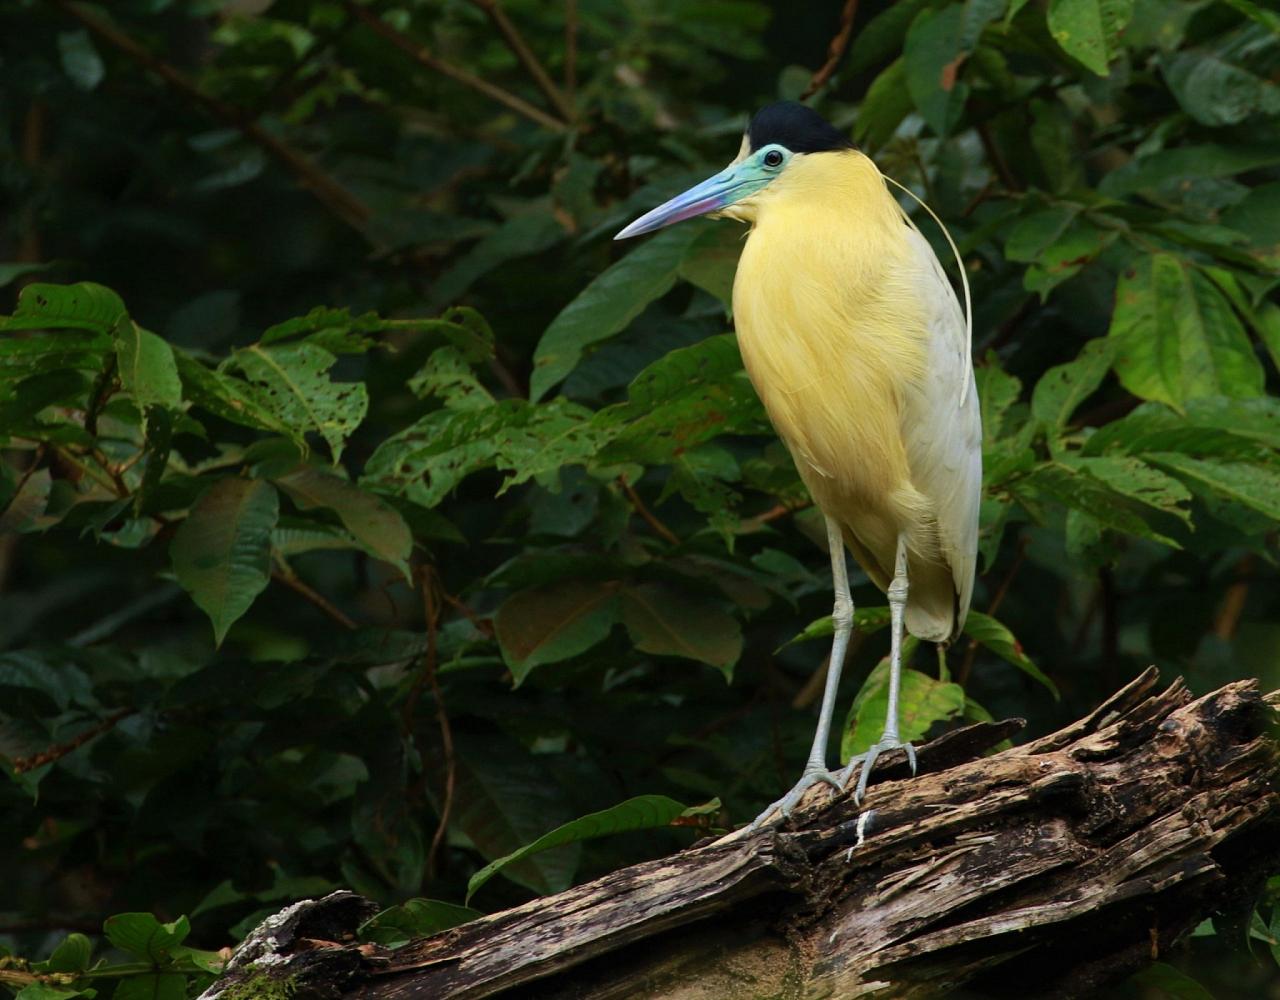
(371, 519)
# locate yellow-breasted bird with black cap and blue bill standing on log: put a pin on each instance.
(857, 345)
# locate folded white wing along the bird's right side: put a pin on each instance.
(943, 431)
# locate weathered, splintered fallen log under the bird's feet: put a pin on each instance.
(1045, 870)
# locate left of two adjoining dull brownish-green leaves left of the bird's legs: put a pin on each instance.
(555, 622)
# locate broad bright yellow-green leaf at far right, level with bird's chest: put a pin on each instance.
(1177, 337)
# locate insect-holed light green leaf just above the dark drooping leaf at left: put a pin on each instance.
(295, 387)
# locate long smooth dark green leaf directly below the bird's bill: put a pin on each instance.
(609, 305)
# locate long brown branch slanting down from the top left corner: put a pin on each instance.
(330, 193)
